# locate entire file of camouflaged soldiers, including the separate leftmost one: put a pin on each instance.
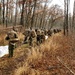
(32, 37)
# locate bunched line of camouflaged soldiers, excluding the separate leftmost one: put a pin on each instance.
(38, 36)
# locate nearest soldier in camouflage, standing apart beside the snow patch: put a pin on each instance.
(12, 37)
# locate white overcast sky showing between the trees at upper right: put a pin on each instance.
(61, 3)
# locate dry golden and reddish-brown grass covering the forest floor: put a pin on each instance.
(56, 56)
